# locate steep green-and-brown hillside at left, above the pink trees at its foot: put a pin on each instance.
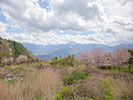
(12, 49)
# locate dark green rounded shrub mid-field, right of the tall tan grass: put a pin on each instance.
(74, 77)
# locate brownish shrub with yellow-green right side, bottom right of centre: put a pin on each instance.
(95, 89)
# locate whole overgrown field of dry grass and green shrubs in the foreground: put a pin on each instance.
(42, 81)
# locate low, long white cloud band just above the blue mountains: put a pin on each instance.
(49, 37)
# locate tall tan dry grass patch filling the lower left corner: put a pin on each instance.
(43, 86)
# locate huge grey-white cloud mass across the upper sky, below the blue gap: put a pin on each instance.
(67, 15)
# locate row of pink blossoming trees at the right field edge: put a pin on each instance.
(98, 57)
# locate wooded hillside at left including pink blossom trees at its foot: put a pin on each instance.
(13, 52)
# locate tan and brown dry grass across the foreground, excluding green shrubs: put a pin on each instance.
(43, 84)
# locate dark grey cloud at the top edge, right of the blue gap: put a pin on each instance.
(86, 9)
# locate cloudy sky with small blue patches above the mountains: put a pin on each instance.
(62, 21)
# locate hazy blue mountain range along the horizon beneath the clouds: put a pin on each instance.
(49, 51)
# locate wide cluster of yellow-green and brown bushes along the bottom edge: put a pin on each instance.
(86, 91)
